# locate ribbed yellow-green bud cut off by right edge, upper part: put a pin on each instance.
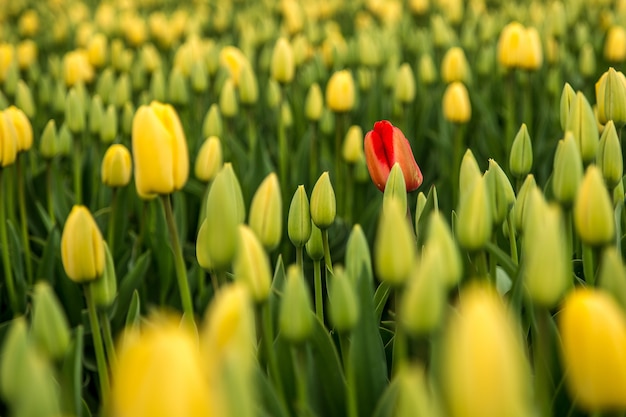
(611, 97)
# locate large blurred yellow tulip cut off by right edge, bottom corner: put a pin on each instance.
(593, 335)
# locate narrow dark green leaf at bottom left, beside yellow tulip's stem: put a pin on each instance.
(71, 376)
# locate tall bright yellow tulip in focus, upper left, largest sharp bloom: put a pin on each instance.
(159, 150)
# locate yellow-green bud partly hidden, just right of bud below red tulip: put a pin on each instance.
(441, 240)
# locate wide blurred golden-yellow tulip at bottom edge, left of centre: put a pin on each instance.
(159, 373)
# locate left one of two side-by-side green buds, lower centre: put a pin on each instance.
(296, 315)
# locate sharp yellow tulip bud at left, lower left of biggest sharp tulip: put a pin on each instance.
(82, 247)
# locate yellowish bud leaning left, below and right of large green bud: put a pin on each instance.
(252, 266)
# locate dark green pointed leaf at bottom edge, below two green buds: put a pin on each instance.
(324, 367)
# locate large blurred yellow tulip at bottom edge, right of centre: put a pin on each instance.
(483, 354)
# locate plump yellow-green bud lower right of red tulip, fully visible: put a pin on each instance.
(473, 227)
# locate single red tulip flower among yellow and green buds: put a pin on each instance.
(384, 146)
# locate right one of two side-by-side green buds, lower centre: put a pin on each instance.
(343, 308)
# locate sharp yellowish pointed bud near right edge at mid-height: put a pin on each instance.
(593, 210)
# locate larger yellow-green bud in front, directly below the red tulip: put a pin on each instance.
(394, 247)
